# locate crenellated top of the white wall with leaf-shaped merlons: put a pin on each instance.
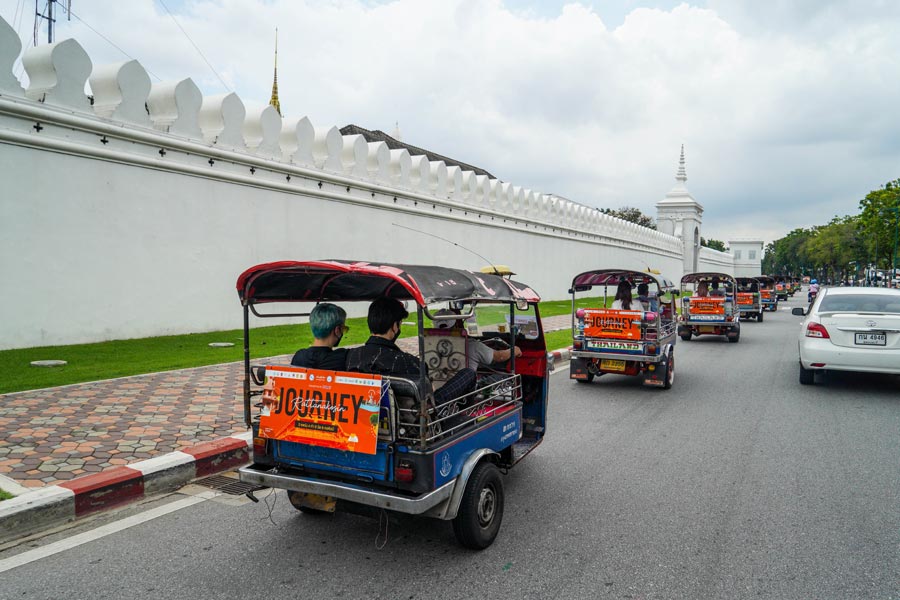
(122, 94)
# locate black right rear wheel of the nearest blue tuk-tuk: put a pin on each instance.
(480, 514)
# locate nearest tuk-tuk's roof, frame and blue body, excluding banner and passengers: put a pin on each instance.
(450, 446)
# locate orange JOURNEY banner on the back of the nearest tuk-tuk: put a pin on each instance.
(323, 408)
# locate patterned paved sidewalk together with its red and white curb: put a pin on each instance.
(82, 448)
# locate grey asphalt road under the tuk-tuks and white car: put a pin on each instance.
(737, 483)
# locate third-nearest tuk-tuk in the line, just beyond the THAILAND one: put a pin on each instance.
(708, 306)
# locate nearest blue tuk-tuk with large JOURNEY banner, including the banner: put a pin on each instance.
(360, 442)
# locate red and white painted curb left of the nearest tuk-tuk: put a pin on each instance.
(69, 500)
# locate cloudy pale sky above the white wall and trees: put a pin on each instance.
(789, 110)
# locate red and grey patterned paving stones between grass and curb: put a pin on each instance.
(56, 434)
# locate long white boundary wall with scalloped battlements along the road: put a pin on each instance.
(134, 215)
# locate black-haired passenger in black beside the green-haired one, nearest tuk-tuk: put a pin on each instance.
(381, 356)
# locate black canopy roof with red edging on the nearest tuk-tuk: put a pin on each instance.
(346, 280)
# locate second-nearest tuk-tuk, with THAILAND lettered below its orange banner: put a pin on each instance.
(639, 341)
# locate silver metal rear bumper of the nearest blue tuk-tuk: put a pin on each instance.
(350, 492)
